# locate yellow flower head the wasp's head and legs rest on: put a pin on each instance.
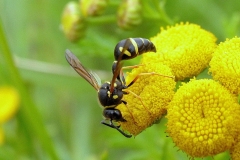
(147, 98)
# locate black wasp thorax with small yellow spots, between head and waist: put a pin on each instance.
(107, 98)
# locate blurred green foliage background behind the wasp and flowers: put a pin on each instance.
(59, 117)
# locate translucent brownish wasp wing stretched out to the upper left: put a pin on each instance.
(89, 76)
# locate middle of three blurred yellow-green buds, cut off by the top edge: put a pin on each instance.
(93, 7)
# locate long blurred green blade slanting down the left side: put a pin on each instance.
(28, 110)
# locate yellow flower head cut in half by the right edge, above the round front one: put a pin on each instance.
(225, 64)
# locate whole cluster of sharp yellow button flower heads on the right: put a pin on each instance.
(203, 115)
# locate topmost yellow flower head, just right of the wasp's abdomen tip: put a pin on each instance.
(185, 48)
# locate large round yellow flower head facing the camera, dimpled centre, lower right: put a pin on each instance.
(203, 118)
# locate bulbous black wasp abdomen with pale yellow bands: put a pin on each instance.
(132, 47)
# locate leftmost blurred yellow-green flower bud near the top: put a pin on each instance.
(73, 24)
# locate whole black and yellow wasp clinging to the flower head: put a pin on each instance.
(110, 94)
